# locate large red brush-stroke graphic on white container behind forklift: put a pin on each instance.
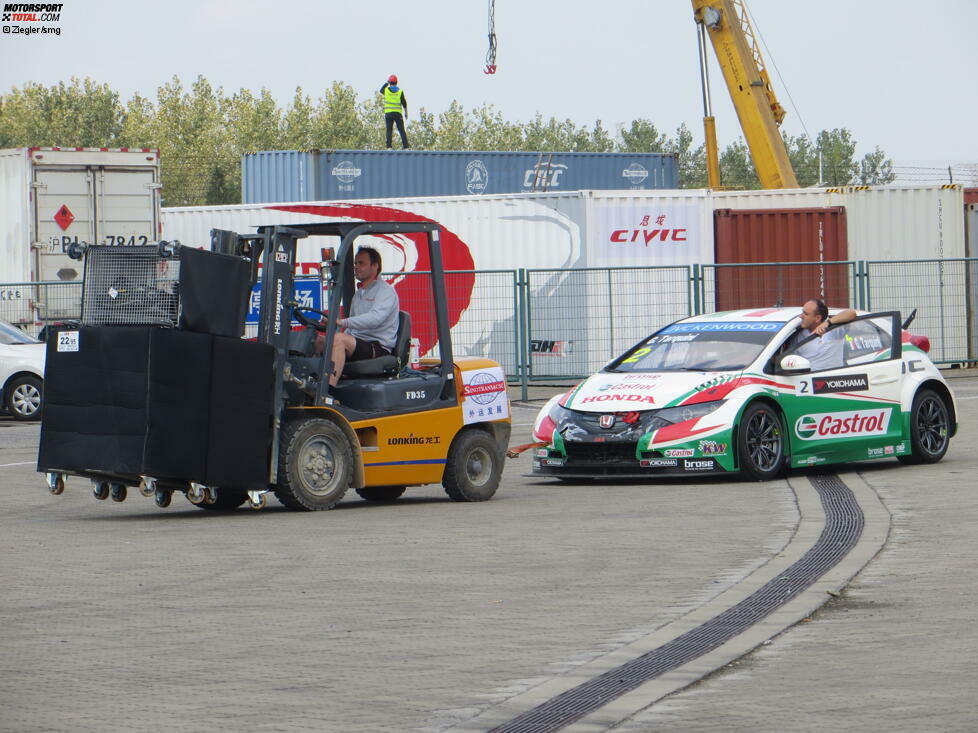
(455, 256)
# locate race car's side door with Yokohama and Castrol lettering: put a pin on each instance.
(847, 407)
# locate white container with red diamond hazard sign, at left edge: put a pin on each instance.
(51, 197)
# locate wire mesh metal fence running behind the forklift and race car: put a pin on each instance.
(565, 324)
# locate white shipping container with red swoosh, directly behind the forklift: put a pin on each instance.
(504, 232)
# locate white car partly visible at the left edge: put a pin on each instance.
(21, 373)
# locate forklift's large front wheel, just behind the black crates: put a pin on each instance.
(315, 465)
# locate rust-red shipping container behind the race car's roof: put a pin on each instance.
(747, 236)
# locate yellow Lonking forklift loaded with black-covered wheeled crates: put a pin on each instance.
(176, 401)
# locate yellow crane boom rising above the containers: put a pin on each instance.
(758, 109)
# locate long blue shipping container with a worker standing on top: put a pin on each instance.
(329, 175)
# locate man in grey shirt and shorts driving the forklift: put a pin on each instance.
(371, 329)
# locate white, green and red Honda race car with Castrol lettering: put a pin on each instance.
(724, 393)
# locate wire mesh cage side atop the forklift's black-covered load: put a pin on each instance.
(130, 286)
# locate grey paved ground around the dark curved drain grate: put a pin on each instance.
(428, 615)
